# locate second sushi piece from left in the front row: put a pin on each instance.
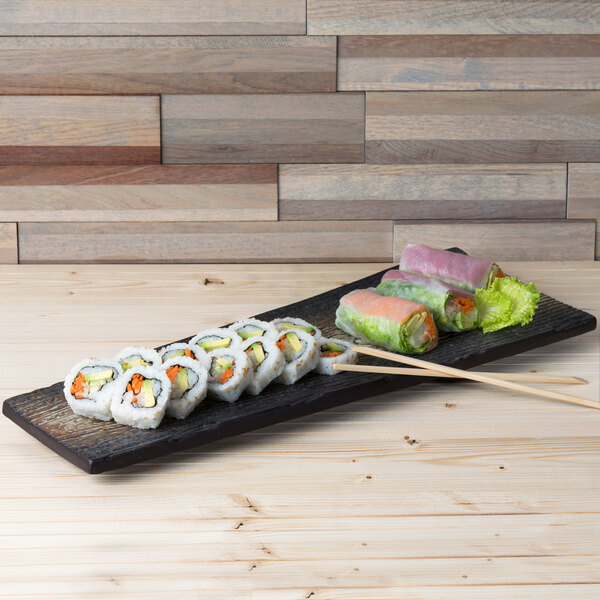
(141, 397)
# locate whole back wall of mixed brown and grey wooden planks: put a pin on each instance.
(298, 130)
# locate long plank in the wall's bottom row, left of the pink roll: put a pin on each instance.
(323, 241)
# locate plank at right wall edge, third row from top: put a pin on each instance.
(477, 127)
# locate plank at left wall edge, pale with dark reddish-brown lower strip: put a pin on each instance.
(79, 130)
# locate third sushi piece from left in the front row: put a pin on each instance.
(188, 385)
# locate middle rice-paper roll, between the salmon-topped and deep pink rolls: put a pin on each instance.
(453, 309)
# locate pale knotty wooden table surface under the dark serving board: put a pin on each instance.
(445, 491)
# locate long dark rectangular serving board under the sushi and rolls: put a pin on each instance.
(96, 446)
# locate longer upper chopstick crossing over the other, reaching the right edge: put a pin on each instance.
(416, 362)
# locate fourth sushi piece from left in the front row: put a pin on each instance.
(229, 375)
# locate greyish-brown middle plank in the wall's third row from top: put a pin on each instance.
(267, 128)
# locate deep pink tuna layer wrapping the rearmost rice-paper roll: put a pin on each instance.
(458, 268)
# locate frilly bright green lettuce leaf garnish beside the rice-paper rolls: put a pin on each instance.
(507, 302)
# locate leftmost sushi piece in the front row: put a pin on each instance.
(90, 385)
